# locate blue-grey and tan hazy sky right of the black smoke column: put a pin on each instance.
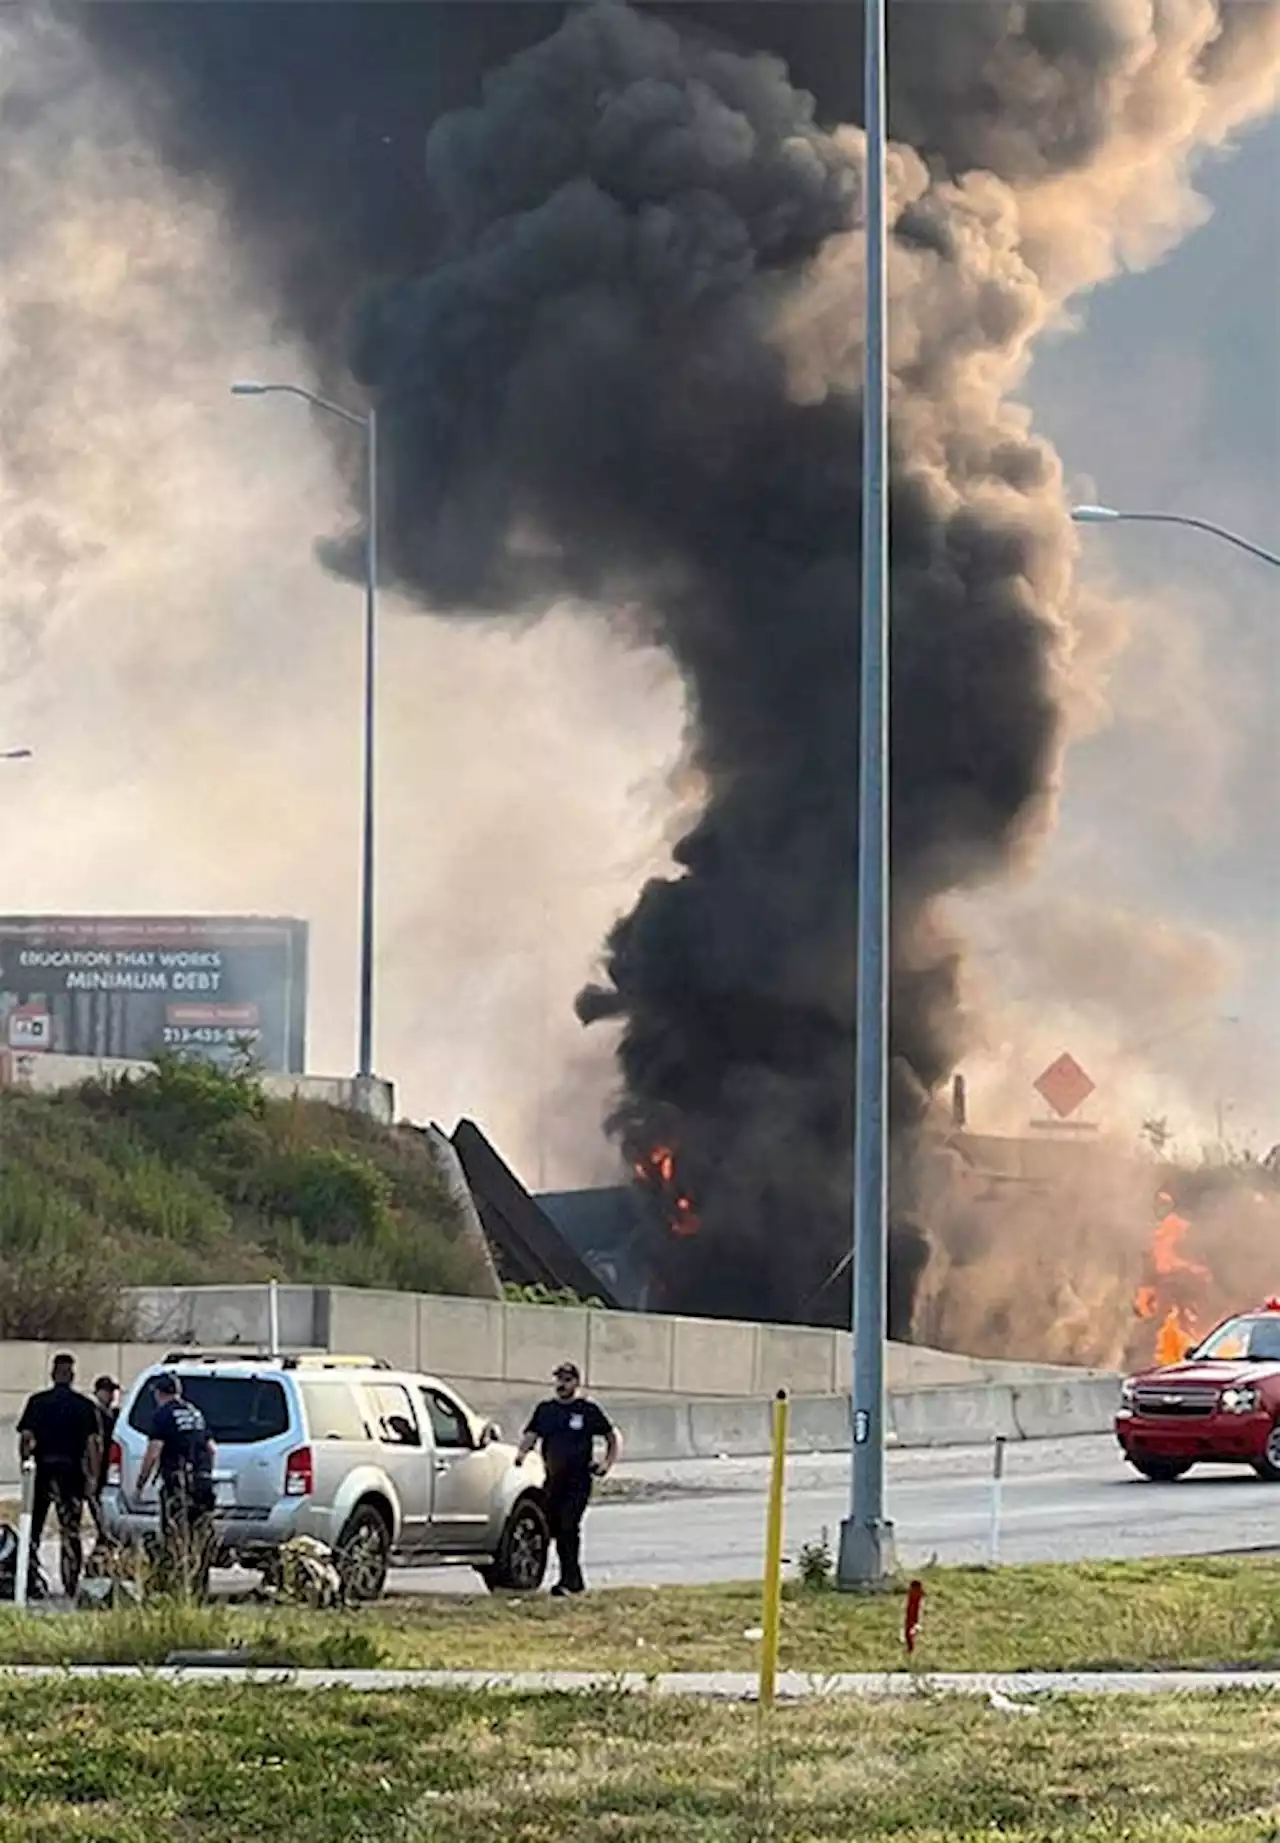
(1167, 860)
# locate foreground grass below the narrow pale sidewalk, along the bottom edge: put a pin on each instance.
(135, 1765)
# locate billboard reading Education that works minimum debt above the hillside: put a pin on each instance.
(139, 985)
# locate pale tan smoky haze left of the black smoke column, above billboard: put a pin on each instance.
(191, 677)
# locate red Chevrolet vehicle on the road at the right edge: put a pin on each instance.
(1220, 1405)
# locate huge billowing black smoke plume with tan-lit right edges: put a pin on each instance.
(614, 335)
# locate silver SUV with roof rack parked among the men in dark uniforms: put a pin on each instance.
(380, 1464)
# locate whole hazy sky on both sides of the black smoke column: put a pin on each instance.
(189, 679)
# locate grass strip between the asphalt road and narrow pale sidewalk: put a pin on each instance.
(1067, 1617)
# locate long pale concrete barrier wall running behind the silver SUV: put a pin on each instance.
(679, 1387)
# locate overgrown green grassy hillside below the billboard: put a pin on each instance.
(192, 1177)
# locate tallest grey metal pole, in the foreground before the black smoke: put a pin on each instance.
(867, 1538)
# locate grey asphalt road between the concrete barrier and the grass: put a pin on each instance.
(1064, 1501)
